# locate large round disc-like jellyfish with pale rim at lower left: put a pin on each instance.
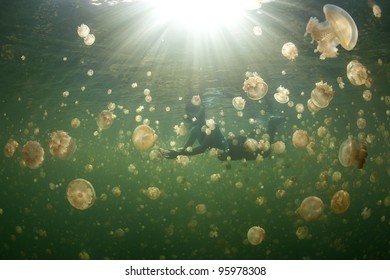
(81, 194)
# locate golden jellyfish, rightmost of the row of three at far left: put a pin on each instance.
(61, 144)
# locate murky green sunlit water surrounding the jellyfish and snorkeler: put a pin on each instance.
(38, 222)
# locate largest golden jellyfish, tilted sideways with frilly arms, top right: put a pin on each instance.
(339, 28)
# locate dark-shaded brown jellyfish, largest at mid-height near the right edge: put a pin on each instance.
(352, 153)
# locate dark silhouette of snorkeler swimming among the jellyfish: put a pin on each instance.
(234, 148)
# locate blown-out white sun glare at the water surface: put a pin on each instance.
(199, 14)
